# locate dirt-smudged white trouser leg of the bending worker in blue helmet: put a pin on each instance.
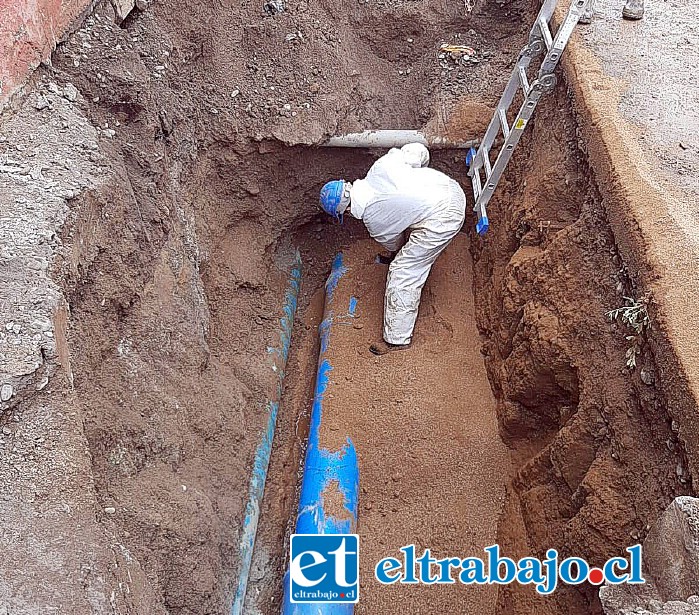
(411, 266)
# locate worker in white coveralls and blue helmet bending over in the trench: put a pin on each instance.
(399, 194)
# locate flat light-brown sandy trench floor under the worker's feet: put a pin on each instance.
(432, 465)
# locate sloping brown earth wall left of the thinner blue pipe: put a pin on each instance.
(171, 326)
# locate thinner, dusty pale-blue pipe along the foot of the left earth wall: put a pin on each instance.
(279, 355)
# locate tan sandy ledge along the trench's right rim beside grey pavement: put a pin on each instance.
(658, 250)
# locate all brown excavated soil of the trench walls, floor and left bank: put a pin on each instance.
(176, 183)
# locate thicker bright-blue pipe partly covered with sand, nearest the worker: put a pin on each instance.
(325, 469)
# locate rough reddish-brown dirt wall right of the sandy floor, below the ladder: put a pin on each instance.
(597, 452)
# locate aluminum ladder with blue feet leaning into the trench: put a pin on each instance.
(540, 40)
